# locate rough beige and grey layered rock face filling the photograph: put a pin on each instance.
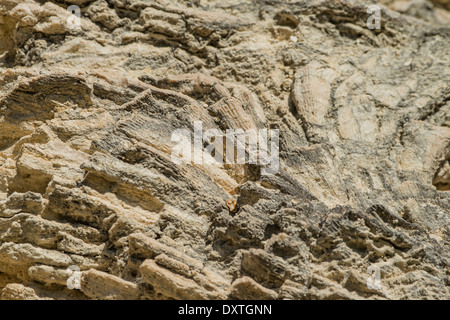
(89, 190)
